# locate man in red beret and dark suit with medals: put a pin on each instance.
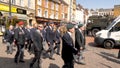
(20, 42)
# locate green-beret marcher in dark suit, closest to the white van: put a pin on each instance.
(79, 43)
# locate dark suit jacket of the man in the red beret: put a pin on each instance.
(19, 36)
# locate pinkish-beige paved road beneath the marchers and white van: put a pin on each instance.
(95, 57)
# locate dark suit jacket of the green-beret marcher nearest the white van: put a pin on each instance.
(79, 39)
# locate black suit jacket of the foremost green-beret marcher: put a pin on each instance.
(67, 48)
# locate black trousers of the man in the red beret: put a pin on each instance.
(20, 52)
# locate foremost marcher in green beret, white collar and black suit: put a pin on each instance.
(68, 47)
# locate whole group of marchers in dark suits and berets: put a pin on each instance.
(35, 39)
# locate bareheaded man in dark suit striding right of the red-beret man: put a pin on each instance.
(38, 46)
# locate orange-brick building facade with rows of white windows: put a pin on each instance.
(51, 10)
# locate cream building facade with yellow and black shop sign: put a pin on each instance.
(22, 9)
